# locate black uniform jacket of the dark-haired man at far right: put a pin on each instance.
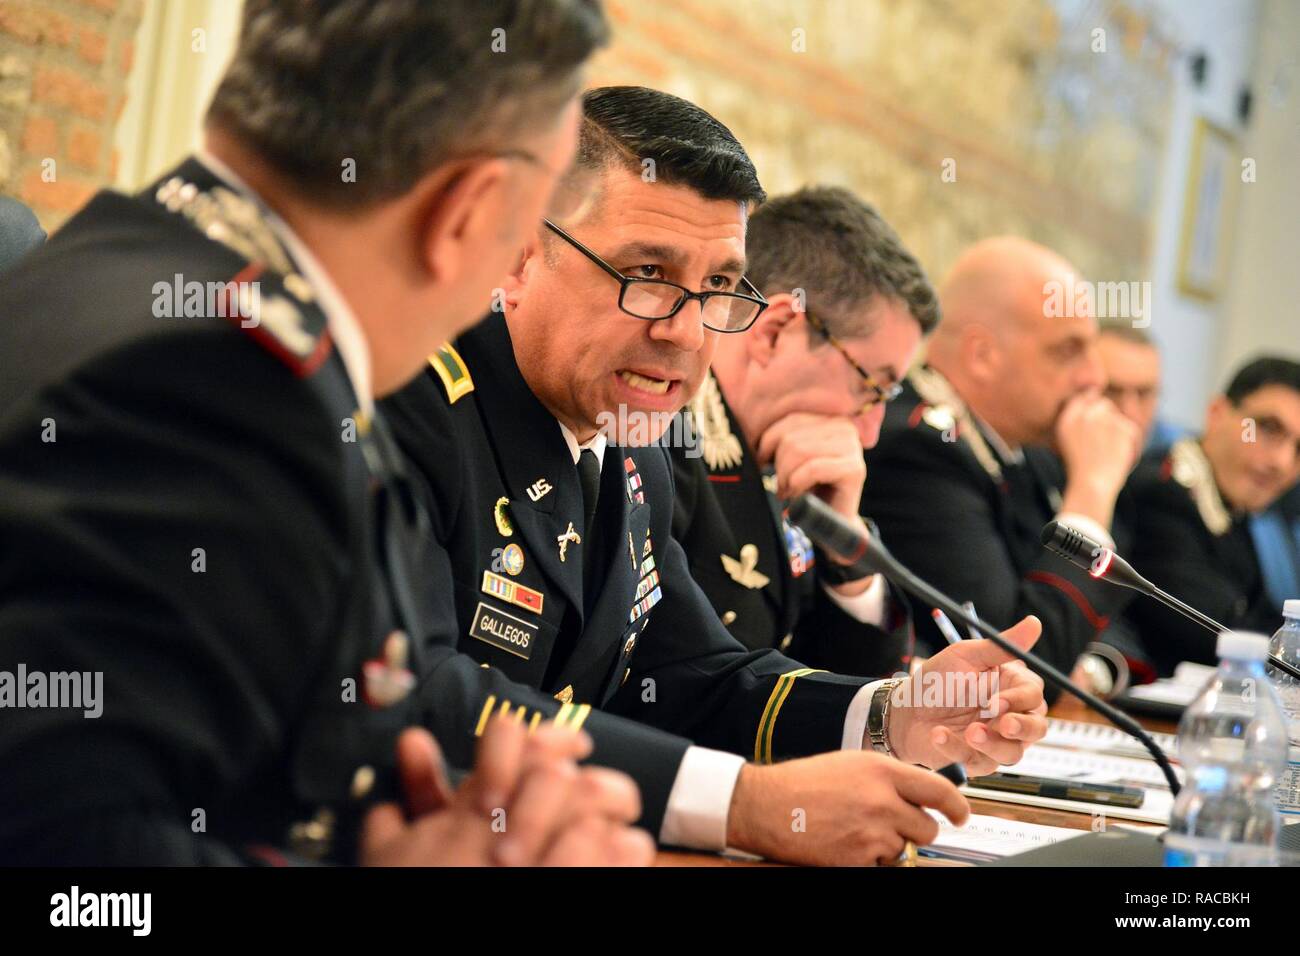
(1193, 546)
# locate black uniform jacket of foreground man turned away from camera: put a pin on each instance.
(185, 509)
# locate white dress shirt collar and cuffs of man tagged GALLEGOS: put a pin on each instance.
(701, 795)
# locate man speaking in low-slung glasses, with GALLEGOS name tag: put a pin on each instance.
(560, 538)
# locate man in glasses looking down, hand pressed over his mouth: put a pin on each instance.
(788, 409)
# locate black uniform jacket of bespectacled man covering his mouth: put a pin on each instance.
(760, 573)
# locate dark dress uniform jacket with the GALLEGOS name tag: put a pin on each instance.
(531, 642)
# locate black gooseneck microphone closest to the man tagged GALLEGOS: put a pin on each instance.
(865, 551)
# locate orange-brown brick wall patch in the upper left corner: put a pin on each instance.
(63, 86)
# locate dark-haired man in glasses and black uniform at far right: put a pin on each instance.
(1193, 509)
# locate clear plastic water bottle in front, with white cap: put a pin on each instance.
(1233, 745)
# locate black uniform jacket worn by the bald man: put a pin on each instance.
(969, 522)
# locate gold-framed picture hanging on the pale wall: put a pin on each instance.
(1208, 204)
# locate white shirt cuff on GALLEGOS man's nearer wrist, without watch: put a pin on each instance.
(700, 801)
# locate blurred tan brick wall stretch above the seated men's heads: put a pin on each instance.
(1048, 137)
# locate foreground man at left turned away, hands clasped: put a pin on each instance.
(205, 517)
